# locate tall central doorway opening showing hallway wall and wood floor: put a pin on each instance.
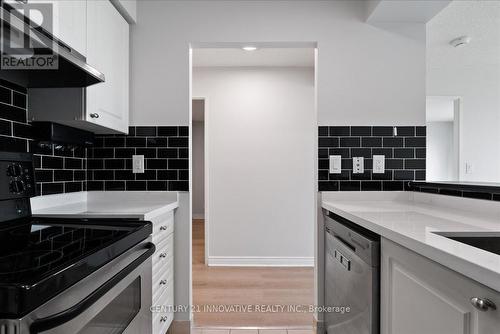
(254, 133)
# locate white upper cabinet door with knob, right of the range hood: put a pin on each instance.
(108, 51)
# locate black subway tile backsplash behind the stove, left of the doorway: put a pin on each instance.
(106, 166)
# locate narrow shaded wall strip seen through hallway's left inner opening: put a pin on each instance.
(198, 170)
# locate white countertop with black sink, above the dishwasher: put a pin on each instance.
(409, 219)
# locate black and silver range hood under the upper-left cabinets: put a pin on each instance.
(70, 70)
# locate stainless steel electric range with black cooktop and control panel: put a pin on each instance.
(68, 275)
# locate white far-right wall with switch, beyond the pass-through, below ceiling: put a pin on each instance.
(479, 89)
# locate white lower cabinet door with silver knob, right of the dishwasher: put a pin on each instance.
(420, 296)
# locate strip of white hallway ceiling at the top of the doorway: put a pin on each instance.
(229, 57)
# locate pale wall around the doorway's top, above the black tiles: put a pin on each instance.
(366, 74)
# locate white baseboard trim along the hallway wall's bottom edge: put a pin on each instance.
(251, 261)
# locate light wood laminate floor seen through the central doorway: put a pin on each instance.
(248, 286)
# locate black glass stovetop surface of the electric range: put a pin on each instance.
(40, 257)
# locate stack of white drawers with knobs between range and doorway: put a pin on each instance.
(163, 272)
